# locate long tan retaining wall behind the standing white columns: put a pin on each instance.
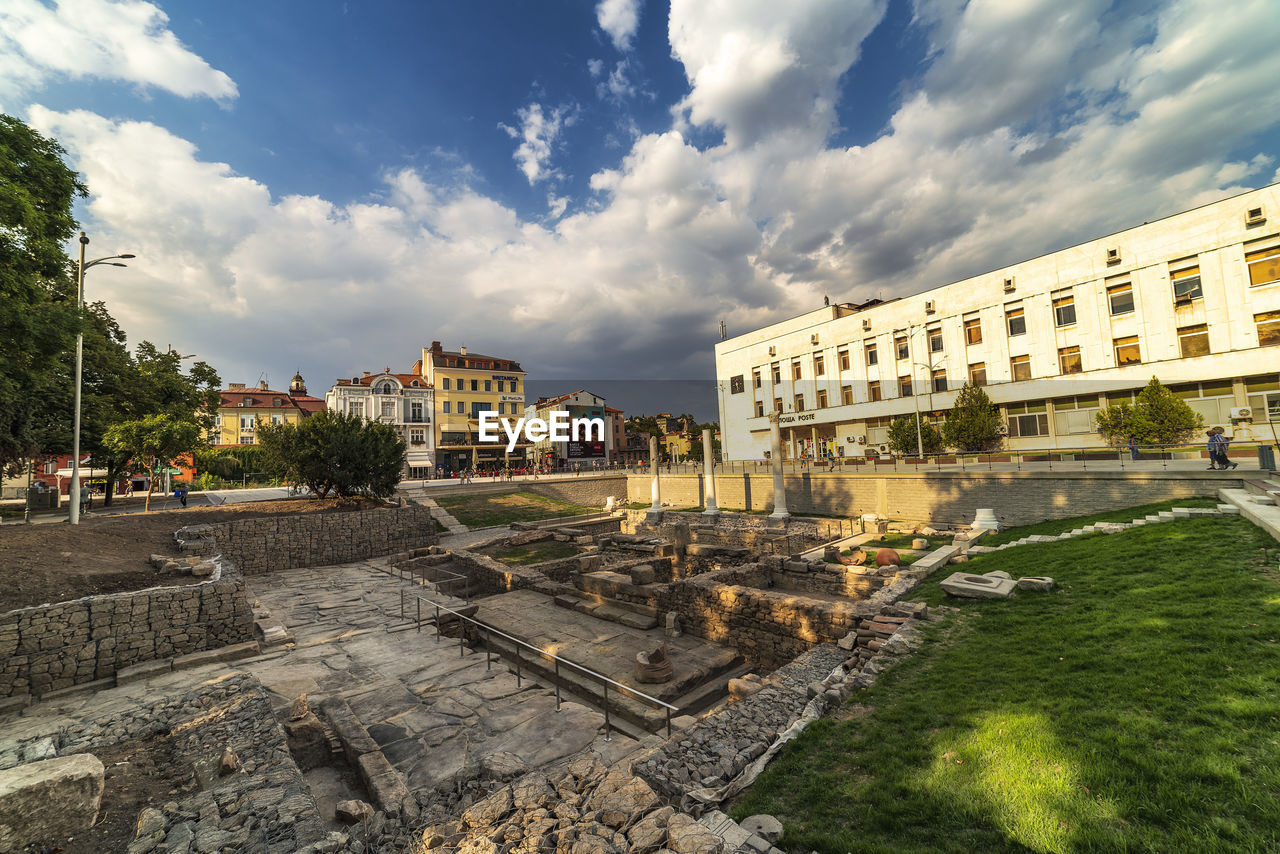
(943, 499)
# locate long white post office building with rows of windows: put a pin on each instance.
(1192, 299)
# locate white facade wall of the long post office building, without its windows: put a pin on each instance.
(1215, 236)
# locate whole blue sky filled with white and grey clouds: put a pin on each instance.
(593, 188)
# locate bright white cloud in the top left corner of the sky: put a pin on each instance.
(126, 40)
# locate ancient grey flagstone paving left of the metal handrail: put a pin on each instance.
(433, 707)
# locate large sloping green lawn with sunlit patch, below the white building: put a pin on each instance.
(1136, 709)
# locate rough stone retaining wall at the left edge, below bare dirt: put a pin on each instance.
(51, 647)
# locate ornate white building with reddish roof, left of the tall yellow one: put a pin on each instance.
(405, 401)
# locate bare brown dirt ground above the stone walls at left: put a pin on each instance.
(108, 555)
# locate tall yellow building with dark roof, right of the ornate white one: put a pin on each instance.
(468, 385)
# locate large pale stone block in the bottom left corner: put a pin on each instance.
(40, 801)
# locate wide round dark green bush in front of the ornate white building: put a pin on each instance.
(336, 453)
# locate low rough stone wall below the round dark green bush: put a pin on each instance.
(273, 544)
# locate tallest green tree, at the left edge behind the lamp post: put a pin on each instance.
(39, 317)
